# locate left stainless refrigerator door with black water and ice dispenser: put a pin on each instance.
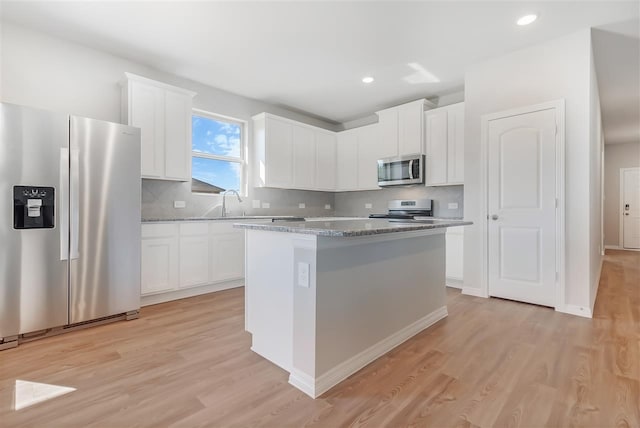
(33, 261)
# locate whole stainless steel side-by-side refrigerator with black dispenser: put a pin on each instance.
(69, 221)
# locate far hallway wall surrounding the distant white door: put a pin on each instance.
(616, 156)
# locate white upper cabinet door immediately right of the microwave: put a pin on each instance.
(436, 146)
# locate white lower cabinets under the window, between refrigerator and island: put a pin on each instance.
(183, 259)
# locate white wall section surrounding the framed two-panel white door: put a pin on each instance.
(545, 72)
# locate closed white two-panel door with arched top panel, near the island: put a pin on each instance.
(522, 207)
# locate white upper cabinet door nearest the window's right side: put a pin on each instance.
(279, 154)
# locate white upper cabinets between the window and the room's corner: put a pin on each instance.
(293, 155)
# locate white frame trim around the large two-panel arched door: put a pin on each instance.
(559, 107)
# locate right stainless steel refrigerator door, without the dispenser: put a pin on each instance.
(104, 219)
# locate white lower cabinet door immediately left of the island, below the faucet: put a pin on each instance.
(227, 255)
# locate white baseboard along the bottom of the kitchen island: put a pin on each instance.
(316, 387)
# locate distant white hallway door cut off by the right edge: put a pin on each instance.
(631, 208)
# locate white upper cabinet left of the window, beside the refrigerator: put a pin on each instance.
(163, 114)
